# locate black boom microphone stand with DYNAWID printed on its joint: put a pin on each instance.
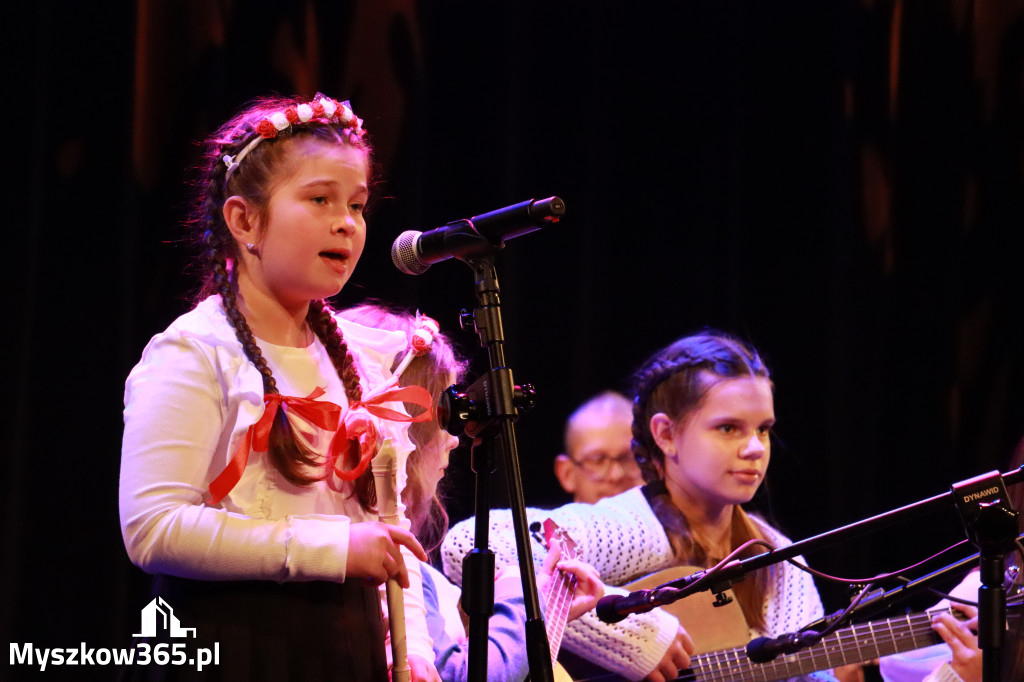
(991, 523)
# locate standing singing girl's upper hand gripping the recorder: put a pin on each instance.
(375, 552)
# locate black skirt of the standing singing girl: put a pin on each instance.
(254, 631)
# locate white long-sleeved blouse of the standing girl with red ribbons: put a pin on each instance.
(189, 405)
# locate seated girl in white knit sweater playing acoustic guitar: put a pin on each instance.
(703, 418)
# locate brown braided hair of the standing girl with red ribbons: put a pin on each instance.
(253, 180)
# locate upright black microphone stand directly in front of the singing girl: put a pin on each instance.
(494, 439)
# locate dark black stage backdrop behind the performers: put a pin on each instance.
(838, 182)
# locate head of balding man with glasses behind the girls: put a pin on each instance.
(599, 462)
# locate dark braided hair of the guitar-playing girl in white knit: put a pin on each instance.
(675, 381)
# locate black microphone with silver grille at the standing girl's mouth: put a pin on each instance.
(414, 252)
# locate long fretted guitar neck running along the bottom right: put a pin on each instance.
(849, 646)
